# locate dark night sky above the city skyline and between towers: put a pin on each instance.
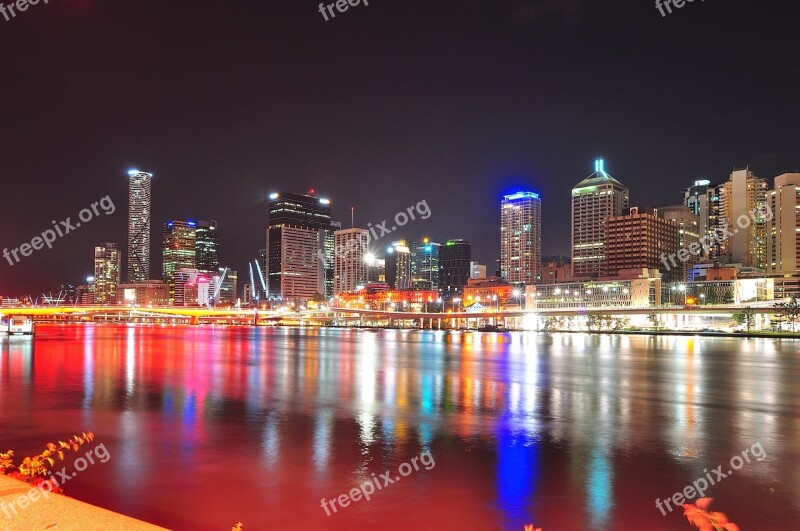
(451, 102)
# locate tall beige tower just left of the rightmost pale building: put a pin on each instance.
(742, 207)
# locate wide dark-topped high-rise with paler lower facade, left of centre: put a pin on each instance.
(300, 246)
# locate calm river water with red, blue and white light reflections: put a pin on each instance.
(210, 426)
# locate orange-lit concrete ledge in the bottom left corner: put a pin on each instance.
(57, 512)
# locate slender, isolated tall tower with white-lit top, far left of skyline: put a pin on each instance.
(139, 211)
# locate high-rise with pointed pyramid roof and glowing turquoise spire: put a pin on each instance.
(594, 200)
